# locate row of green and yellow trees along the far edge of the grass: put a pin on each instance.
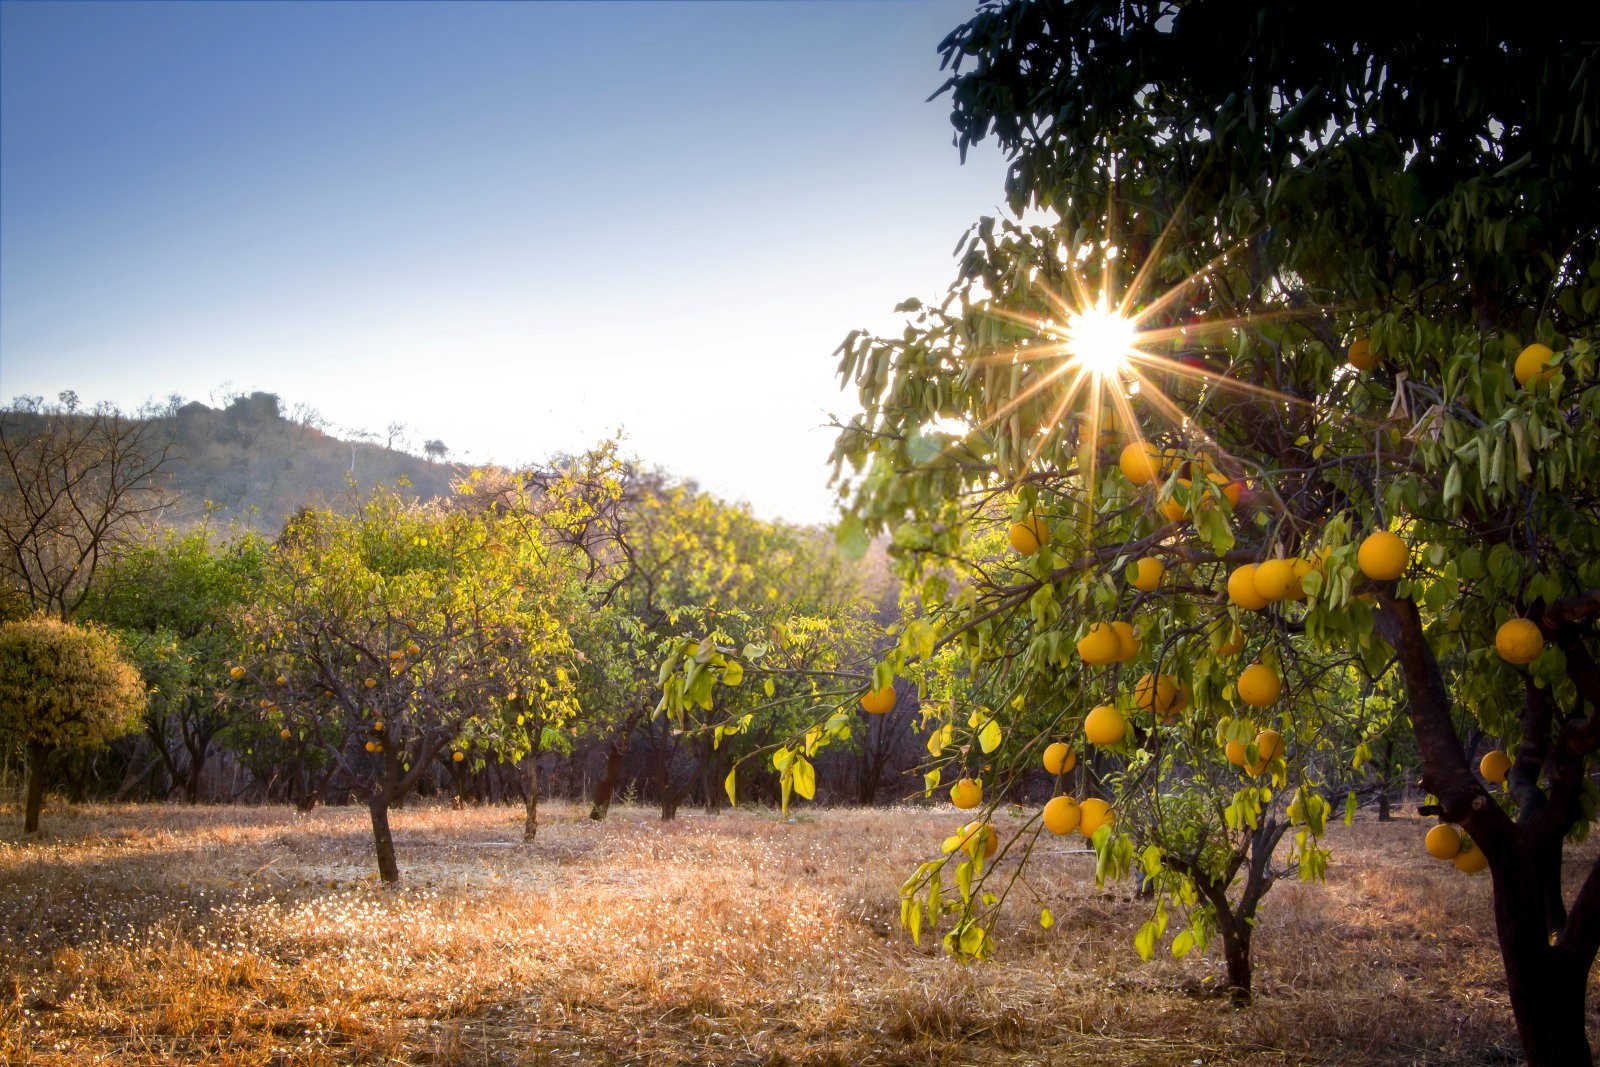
(404, 645)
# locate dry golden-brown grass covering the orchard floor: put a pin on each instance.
(154, 935)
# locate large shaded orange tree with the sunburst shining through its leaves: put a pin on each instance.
(1362, 258)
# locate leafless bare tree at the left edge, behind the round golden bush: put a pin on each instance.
(73, 487)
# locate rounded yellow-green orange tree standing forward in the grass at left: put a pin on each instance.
(382, 637)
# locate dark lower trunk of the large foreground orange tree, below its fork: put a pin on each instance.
(1548, 983)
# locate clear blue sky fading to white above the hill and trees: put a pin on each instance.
(513, 226)
